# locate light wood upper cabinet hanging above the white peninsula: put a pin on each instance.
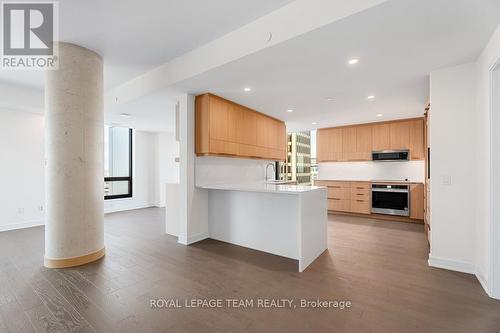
(226, 128)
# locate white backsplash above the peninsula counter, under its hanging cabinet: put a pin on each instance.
(220, 170)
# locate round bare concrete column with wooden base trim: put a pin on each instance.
(74, 176)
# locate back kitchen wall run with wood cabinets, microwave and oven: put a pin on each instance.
(375, 170)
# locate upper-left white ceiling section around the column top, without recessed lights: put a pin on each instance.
(137, 36)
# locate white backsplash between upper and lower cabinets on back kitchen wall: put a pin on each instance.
(411, 170)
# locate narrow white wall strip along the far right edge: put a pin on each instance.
(485, 63)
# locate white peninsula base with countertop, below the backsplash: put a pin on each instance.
(285, 220)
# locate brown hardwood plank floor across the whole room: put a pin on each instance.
(379, 266)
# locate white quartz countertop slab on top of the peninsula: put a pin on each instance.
(263, 187)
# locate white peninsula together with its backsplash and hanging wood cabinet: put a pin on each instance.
(243, 208)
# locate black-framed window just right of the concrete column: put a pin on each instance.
(117, 162)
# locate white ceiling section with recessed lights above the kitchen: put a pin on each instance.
(398, 43)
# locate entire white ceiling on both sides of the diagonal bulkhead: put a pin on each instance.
(398, 43)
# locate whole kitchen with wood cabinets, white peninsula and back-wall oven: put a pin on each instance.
(249, 204)
